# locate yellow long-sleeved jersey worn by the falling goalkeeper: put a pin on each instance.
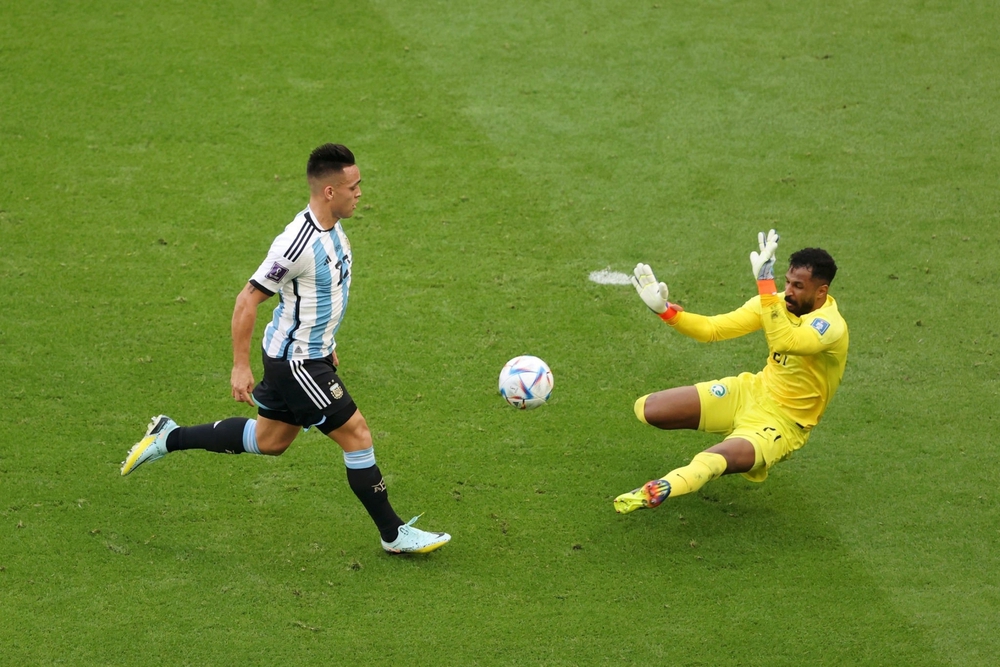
(806, 357)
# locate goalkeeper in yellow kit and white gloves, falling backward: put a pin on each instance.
(763, 417)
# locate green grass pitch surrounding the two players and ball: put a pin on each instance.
(150, 151)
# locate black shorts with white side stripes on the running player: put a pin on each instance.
(303, 392)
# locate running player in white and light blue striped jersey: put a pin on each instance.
(309, 267)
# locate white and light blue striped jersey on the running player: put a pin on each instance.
(310, 268)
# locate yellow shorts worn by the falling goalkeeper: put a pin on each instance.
(738, 407)
